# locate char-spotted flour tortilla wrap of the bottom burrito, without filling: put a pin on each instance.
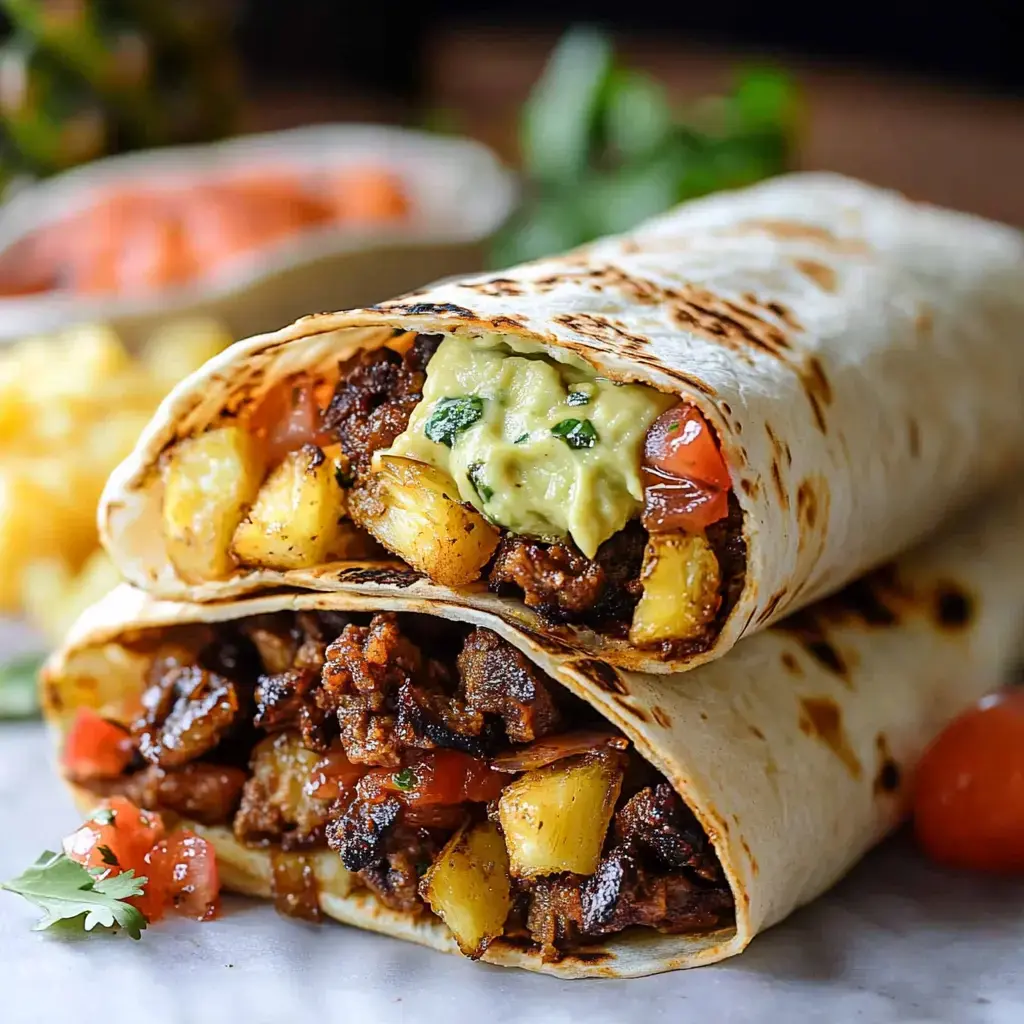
(796, 752)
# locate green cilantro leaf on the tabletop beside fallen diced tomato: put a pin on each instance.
(66, 891)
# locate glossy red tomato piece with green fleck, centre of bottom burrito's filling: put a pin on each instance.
(438, 778)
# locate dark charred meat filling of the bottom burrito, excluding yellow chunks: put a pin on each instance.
(369, 737)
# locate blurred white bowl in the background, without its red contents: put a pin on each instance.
(460, 195)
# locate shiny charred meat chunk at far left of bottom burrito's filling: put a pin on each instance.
(187, 712)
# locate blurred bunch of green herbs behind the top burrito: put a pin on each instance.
(603, 148)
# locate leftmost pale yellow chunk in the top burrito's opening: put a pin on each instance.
(209, 483)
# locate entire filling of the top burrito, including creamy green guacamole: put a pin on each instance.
(598, 502)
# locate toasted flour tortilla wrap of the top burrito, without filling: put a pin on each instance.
(862, 359)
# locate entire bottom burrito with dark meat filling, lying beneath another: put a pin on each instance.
(430, 772)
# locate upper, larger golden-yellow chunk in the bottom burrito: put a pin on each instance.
(556, 819)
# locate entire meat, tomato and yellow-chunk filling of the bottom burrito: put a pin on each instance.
(426, 762)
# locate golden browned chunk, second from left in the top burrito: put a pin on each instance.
(296, 522)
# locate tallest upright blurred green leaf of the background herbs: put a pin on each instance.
(560, 117)
